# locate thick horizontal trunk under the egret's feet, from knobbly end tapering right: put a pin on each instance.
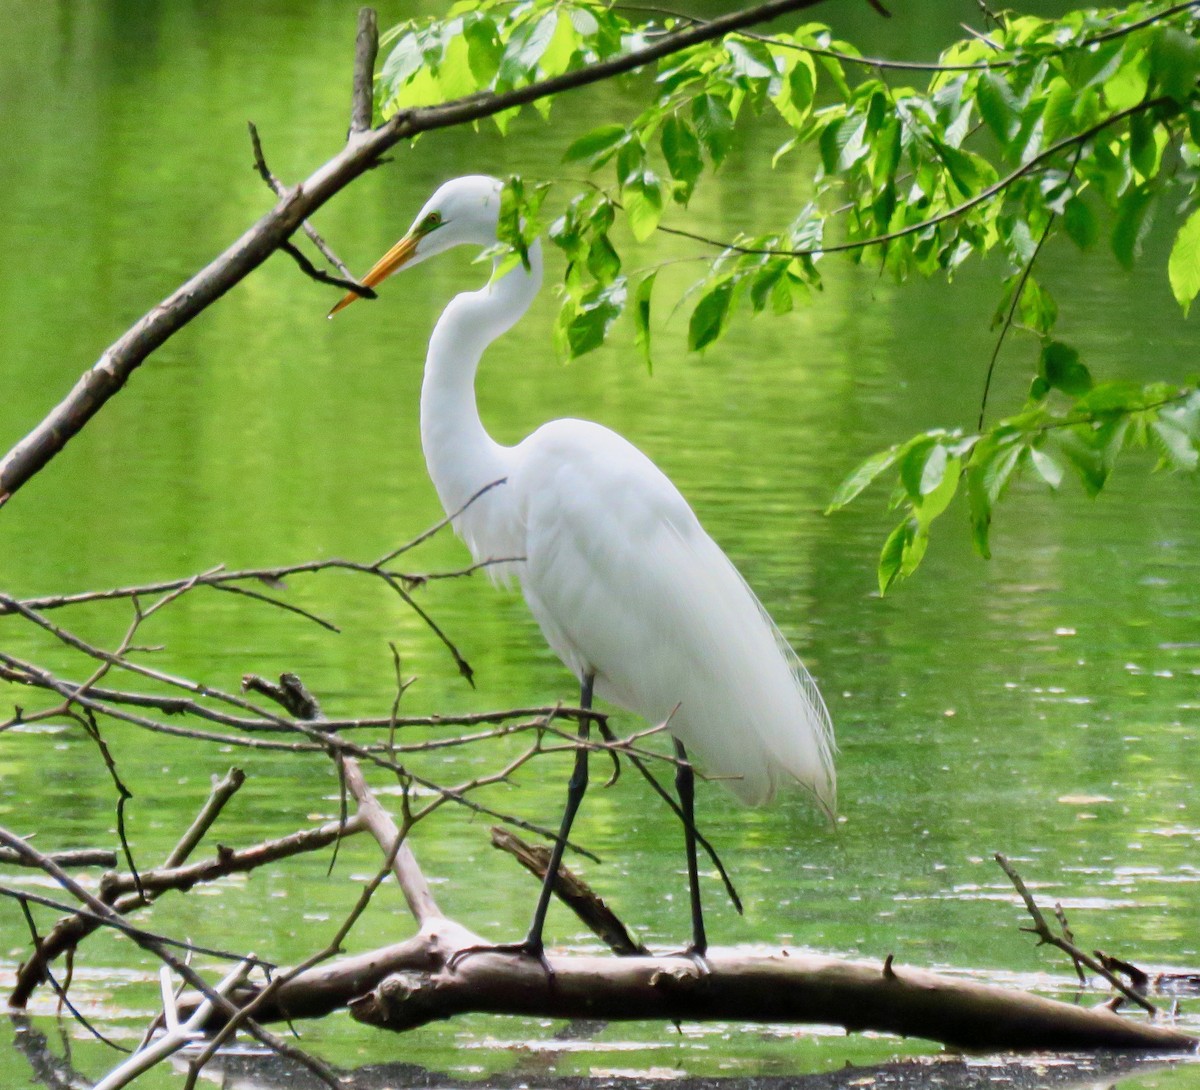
(783, 987)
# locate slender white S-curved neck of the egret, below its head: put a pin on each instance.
(460, 454)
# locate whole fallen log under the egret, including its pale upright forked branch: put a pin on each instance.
(411, 984)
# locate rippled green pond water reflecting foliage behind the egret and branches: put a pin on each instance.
(1045, 704)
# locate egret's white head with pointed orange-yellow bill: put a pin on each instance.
(465, 211)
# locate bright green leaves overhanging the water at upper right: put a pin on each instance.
(1037, 133)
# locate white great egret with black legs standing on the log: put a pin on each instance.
(631, 592)
